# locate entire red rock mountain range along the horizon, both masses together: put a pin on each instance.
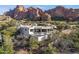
(20, 13)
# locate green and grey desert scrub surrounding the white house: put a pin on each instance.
(64, 40)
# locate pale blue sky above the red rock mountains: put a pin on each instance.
(4, 8)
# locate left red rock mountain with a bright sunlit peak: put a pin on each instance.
(30, 13)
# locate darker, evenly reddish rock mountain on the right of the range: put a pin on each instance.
(64, 13)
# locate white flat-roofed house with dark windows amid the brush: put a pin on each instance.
(41, 32)
